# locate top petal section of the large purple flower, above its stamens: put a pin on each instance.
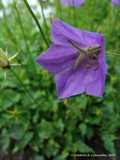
(62, 32)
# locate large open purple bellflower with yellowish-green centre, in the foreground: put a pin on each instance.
(77, 60)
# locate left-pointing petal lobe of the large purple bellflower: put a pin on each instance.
(57, 58)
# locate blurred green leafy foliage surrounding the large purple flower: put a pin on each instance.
(32, 119)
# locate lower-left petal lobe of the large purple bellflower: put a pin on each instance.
(70, 83)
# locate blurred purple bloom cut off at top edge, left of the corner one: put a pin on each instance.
(75, 3)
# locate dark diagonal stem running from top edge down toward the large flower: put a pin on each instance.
(36, 21)
